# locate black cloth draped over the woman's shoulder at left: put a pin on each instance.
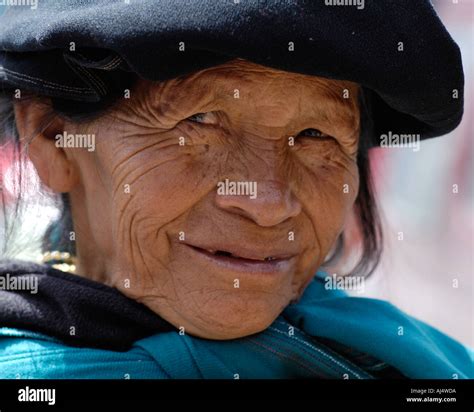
(66, 306)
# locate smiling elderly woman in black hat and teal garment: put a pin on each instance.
(208, 155)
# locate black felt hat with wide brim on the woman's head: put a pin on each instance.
(409, 67)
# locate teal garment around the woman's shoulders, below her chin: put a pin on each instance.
(291, 347)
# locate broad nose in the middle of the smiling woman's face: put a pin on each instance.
(267, 203)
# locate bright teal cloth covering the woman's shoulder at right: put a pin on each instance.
(380, 329)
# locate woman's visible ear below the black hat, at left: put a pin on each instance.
(37, 128)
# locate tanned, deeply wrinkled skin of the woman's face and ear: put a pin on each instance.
(133, 196)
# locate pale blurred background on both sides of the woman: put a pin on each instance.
(428, 274)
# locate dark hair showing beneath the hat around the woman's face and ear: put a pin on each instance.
(57, 234)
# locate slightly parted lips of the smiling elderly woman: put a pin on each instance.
(269, 264)
